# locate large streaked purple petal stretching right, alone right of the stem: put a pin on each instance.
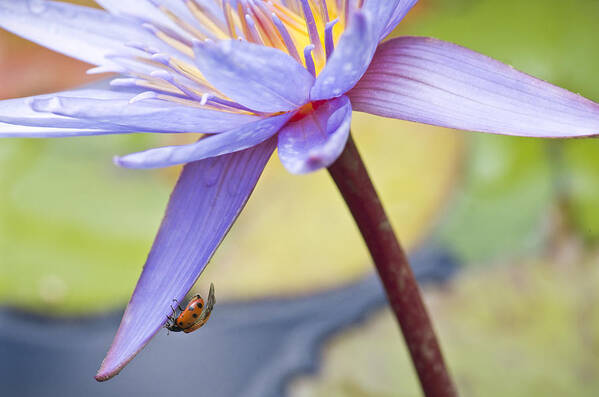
(434, 82)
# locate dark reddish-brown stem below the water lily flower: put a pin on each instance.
(351, 177)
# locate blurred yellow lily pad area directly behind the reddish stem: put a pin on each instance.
(296, 234)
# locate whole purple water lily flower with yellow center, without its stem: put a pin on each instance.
(255, 76)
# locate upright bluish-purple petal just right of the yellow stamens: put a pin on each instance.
(349, 61)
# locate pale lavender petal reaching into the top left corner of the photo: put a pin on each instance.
(80, 32)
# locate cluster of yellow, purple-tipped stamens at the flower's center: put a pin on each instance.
(307, 30)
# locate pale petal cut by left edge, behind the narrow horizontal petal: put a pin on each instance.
(19, 120)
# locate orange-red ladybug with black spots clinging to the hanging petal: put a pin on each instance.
(194, 316)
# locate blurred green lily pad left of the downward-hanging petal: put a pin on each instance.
(75, 229)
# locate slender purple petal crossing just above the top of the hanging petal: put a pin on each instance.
(215, 145)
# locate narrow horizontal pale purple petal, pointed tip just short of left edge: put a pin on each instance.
(151, 115)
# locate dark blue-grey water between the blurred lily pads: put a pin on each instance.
(248, 349)
